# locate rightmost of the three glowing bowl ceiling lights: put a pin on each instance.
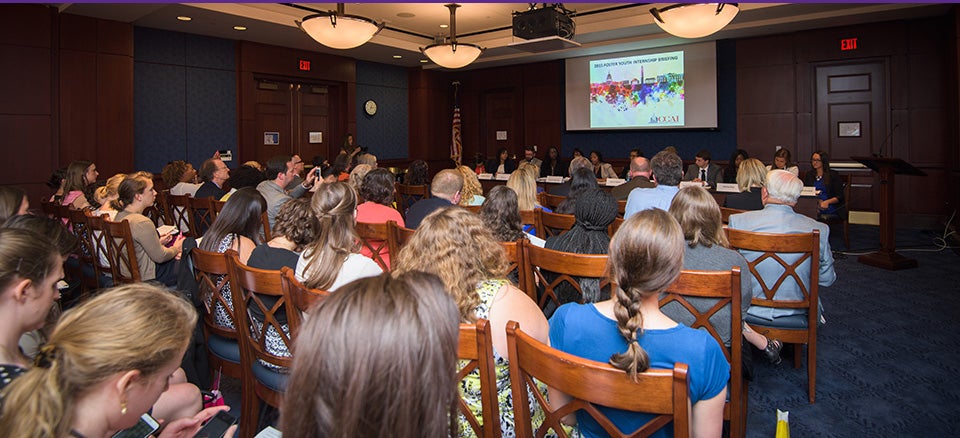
(695, 20)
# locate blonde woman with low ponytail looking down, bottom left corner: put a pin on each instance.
(105, 365)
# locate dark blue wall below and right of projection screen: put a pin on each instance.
(721, 142)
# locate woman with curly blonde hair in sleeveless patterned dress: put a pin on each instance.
(453, 244)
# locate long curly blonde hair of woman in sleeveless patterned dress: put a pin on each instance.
(453, 244)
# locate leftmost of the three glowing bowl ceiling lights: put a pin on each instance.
(337, 30)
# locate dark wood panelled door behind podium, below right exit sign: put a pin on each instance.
(852, 109)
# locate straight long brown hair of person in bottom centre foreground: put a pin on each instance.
(377, 357)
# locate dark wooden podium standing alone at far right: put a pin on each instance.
(887, 257)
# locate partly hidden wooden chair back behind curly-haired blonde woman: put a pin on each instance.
(475, 352)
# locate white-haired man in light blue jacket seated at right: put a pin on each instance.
(779, 197)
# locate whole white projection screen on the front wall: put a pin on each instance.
(646, 89)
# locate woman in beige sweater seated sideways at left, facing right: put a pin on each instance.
(155, 259)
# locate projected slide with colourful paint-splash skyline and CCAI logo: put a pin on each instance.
(645, 90)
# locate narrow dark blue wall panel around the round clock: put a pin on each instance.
(386, 132)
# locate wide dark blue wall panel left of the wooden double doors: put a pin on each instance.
(185, 97)
